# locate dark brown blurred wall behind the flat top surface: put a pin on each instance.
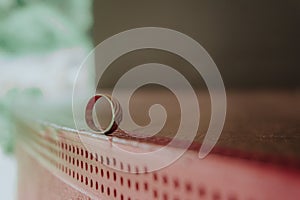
(255, 44)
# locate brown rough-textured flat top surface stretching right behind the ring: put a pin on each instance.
(257, 122)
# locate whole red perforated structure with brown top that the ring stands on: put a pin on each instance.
(256, 157)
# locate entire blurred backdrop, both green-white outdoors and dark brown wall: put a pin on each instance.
(255, 45)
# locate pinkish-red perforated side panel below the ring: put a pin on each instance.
(54, 158)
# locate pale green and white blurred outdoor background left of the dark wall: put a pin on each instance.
(42, 43)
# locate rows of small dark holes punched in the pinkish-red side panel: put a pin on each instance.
(70, 148)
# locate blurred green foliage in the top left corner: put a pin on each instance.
(29, 26)
